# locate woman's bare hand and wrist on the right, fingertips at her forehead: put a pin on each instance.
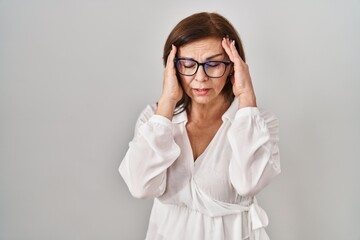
(241, 80)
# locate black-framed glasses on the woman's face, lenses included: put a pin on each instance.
(189, 67)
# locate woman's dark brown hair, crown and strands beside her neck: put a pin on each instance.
(199, 26)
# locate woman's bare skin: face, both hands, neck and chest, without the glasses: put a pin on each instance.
(207, 103)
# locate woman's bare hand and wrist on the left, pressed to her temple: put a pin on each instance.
(172, 91)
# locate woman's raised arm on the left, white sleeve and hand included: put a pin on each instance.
(153, 149)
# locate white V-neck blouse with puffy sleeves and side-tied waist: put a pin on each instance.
(213, 197)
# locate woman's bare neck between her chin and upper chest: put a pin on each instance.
(204, 114)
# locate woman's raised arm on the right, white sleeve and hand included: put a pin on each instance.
(253, 135)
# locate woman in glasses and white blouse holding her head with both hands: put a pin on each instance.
(204, 150)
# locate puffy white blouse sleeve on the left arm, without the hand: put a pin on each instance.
(150, 154)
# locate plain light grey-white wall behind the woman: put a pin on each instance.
(74, 76)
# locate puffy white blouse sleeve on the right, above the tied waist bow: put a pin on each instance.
(255, 160)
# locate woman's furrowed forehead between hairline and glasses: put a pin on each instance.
(201, 48)
